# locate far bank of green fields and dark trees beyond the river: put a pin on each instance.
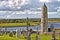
(22, 22)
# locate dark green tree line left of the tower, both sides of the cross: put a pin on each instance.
(17, 20)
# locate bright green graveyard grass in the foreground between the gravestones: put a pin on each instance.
(33, 37)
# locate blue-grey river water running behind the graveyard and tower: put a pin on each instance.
(56, 25)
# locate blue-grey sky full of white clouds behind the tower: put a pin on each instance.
(10, 9)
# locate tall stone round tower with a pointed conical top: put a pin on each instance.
(44, 19)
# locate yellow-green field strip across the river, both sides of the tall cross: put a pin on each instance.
(16, 24)
